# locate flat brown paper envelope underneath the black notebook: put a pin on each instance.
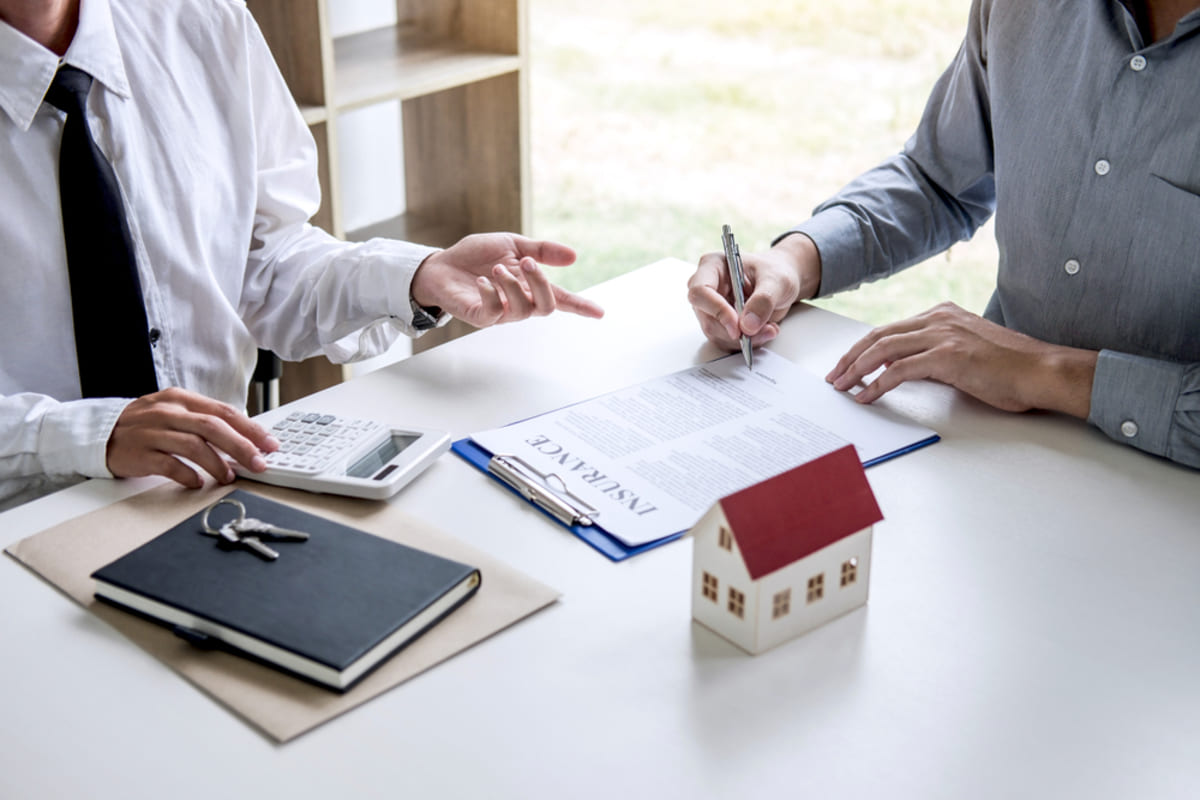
(279, 705)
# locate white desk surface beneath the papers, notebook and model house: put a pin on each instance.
(1034, 628)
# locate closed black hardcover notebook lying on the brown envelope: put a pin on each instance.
(329, 610)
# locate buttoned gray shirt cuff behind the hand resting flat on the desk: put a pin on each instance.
(1135, 400)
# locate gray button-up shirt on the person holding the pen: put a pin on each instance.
(1087, 145)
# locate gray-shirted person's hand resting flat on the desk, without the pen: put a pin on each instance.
(991, 363)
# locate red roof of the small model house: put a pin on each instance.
(799, 513)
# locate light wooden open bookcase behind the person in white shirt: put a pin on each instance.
(459, 68)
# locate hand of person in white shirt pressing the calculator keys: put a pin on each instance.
(158, 430)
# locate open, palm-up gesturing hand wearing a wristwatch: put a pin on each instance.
(493, 279)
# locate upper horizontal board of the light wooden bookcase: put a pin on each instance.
(385, 64)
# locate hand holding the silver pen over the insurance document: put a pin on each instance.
(777, 279)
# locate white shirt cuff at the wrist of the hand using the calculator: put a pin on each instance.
(74, 437)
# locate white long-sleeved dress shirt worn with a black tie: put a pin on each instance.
(219, 176)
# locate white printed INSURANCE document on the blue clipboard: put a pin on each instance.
(653, 459)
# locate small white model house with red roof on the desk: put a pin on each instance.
(784, 556)
